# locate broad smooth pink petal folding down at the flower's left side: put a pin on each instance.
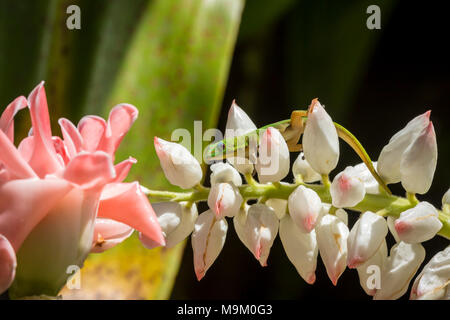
(23, 204)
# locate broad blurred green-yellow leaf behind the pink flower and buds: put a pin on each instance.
(175, 73)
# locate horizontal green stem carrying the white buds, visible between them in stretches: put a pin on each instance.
(384, 204)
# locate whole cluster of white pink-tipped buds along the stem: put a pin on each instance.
(307, 225)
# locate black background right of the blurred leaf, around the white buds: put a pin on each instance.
(371, 81)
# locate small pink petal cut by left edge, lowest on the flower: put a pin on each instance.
(8, 264)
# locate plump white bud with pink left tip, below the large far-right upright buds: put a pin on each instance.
(418, 224)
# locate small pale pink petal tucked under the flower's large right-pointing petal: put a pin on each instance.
(108, 233)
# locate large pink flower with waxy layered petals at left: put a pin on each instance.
(62, 198)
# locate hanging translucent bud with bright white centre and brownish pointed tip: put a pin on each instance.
(261, 228)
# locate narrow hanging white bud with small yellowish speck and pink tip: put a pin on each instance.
(332, 234)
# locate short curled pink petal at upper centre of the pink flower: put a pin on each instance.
(90, 170)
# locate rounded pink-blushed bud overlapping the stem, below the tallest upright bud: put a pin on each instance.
(305, 207)
